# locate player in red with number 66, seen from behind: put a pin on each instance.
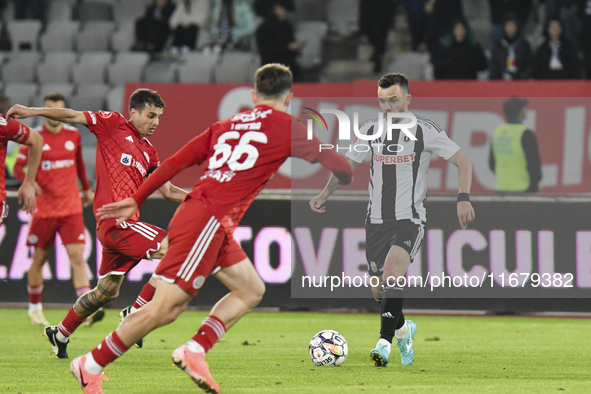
(242, 153)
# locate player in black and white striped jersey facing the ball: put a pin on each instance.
(395, 215)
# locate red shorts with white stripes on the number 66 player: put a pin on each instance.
(197, 245)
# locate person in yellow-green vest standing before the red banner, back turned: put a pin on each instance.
(514, 156)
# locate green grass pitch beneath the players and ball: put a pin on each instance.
(268, 352)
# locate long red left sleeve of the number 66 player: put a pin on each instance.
(195, 152)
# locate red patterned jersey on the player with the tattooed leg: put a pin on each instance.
(123, 159)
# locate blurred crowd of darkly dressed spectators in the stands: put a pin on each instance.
(437, 27)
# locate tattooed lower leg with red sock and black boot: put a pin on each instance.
(106, 290)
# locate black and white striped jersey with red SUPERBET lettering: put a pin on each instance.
(398, 174)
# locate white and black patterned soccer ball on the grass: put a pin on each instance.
(328, 348)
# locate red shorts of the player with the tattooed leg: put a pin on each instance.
(124, 246)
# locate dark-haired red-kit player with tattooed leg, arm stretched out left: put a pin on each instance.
(123, 161)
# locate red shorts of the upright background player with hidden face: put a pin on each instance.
(42, 231)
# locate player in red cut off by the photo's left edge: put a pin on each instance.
(13, 130)
